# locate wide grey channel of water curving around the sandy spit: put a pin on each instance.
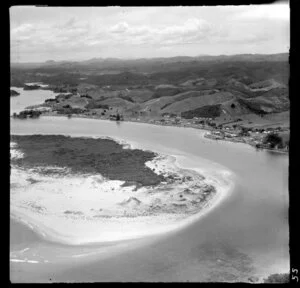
(247, 234)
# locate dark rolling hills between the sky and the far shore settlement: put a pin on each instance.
(223, 86)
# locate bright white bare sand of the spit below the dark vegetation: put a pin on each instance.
(124, 214)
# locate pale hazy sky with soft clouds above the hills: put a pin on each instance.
(79, 33)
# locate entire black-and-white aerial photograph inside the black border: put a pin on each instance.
(149, 144)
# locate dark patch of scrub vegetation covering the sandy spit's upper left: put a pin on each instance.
(87, 155)
